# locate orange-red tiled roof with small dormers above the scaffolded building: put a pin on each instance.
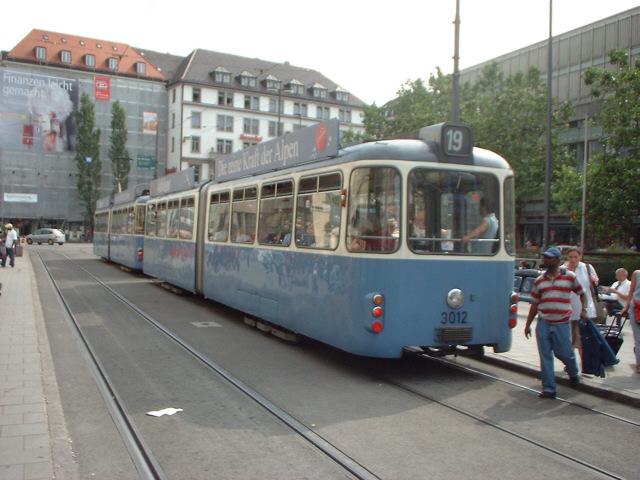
(79, 48)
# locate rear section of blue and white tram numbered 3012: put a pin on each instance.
(380, 248)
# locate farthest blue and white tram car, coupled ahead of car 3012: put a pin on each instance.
(119, 229)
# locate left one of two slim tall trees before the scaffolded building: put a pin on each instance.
(88, 164)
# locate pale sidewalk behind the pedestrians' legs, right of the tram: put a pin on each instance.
(621, 382)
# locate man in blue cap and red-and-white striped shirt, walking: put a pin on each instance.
(551, 300)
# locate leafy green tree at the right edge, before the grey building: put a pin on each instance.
(614, 174)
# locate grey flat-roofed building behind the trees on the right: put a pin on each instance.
(573, 53)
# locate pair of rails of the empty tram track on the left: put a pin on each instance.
(127, 427)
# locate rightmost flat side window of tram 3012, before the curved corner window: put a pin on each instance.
(319, 211)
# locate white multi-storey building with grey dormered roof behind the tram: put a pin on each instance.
(221, 103)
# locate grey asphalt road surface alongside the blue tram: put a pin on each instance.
(384, 414)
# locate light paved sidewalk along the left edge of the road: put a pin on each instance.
(29, 402)
